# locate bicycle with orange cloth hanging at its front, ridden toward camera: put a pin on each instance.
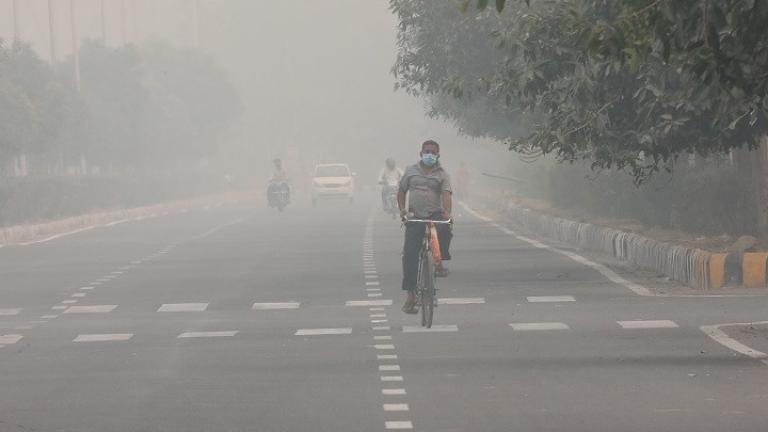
(429, 259)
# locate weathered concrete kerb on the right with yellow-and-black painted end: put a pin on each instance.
(694, 267)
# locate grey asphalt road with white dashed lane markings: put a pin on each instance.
(236, 318)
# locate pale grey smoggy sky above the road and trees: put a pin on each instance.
(314, 75)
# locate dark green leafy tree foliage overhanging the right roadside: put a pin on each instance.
(630, 84)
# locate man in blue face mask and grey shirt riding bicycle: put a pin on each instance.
(428, 187)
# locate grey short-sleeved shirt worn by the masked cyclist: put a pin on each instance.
(425, 189)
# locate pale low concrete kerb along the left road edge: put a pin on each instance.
(31, 233)
